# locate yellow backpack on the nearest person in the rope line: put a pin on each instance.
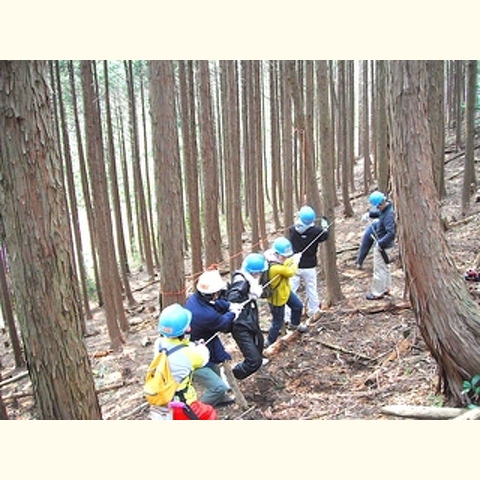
(160, 385)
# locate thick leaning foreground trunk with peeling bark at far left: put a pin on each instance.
(37, 237)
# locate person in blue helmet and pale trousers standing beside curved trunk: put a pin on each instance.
(383, 236)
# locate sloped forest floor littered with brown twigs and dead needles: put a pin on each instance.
(358, 357)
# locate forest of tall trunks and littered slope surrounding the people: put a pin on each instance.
(123, 181)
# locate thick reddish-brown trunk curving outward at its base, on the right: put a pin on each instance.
(447, 315)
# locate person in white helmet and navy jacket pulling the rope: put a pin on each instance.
(212, 314)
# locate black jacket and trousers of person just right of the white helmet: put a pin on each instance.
(245, 329)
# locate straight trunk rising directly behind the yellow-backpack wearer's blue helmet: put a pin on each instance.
(168, 182)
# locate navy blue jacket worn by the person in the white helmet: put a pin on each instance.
(207, 320)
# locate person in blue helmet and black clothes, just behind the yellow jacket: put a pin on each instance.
(244, 289)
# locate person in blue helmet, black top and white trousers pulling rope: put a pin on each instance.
(305, 237)
